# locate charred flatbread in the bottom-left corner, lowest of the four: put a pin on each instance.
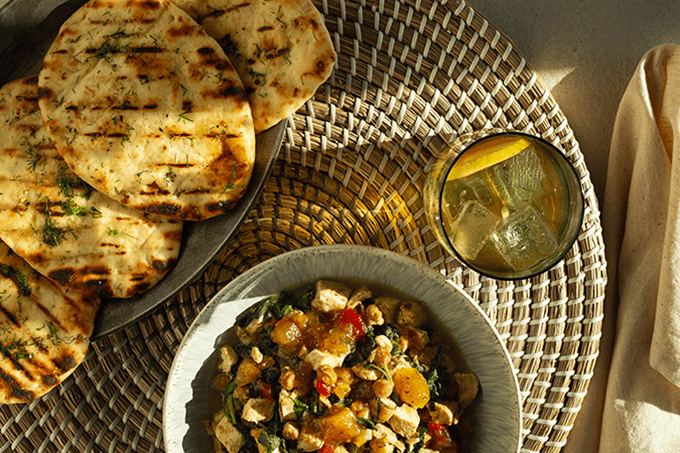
(44, 330)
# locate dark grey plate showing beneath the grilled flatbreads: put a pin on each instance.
(27, 28)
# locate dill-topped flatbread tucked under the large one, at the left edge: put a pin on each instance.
(64, 228)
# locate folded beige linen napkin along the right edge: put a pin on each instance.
(633, 404)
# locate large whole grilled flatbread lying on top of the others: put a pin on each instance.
(144, 106)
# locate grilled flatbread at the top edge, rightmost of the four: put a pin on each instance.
(281, 49)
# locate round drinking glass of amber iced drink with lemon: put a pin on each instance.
(507, 204)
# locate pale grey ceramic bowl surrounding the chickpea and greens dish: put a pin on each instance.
(190, 400)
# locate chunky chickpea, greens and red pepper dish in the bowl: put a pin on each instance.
(334, 369)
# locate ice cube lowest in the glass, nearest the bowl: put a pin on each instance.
(524, 239)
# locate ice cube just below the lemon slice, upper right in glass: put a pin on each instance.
(518, 180)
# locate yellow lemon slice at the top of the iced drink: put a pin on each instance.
(494, 153)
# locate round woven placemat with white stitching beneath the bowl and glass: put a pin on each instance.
(410, 75)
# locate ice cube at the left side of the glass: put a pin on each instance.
(470, 230)
